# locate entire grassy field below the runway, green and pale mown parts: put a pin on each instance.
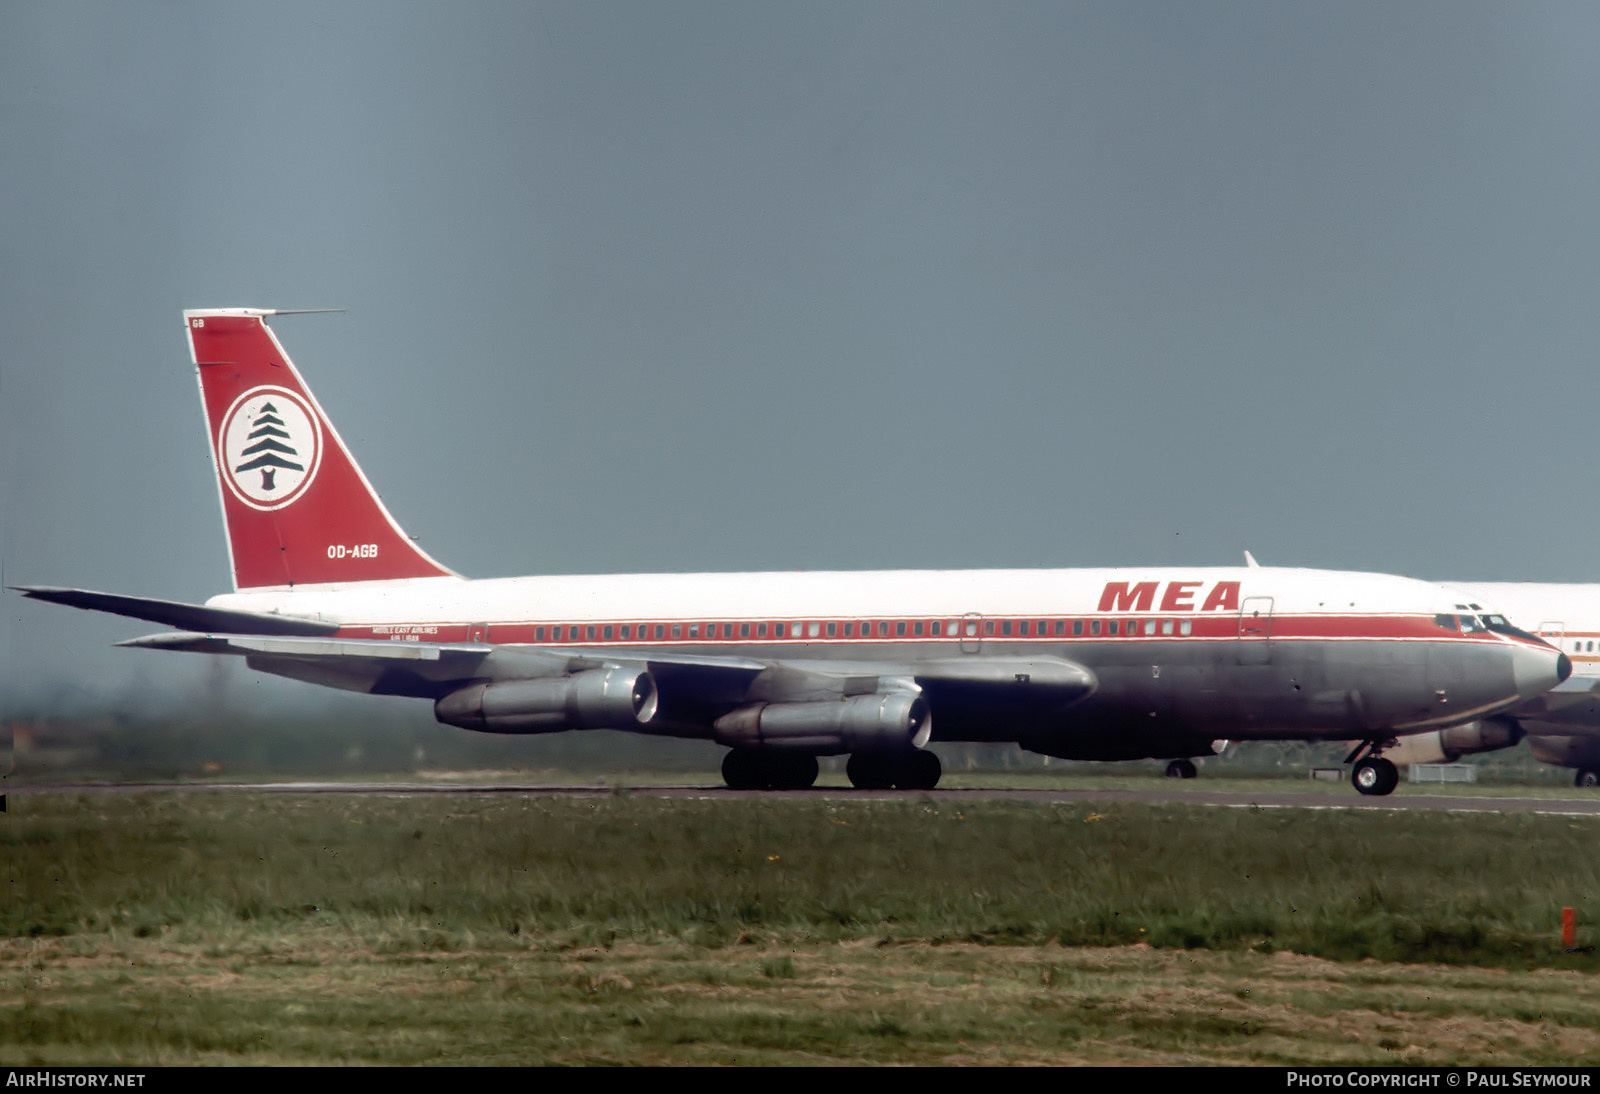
(167, 928)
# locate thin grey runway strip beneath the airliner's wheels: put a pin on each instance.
(1575, 807)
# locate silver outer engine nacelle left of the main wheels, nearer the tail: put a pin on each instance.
(614, 698)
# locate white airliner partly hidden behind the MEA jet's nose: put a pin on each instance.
(1561, 727)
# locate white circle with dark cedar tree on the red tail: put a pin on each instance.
(270, 447)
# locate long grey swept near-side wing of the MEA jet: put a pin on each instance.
(535, 689)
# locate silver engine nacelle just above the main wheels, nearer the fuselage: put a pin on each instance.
(860, 724)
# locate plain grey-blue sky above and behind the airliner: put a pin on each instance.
(839, 285)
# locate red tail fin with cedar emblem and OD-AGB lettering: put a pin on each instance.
(297, 506)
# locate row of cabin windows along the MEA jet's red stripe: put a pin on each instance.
(865, 629)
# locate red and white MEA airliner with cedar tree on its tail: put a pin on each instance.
(785, 668)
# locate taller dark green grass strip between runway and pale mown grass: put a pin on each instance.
(1474, 888)
